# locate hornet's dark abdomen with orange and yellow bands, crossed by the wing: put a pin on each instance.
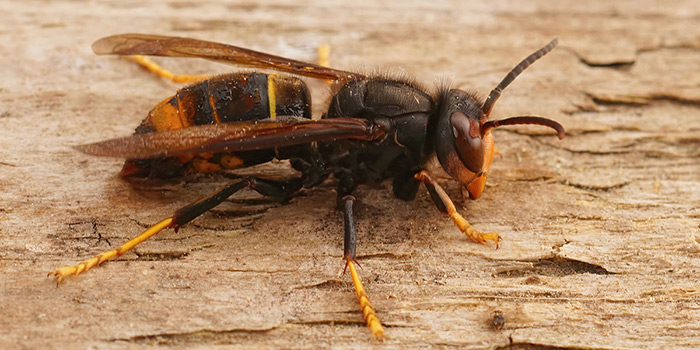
(221, 99)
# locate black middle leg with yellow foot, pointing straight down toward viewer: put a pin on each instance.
(368, 313)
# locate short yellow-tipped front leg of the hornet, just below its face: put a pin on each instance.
(445, 205)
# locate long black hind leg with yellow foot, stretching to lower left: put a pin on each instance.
(282, 190)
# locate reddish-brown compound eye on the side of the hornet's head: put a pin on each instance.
(467, 137)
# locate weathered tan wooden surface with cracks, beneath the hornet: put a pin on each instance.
(600, 231)
